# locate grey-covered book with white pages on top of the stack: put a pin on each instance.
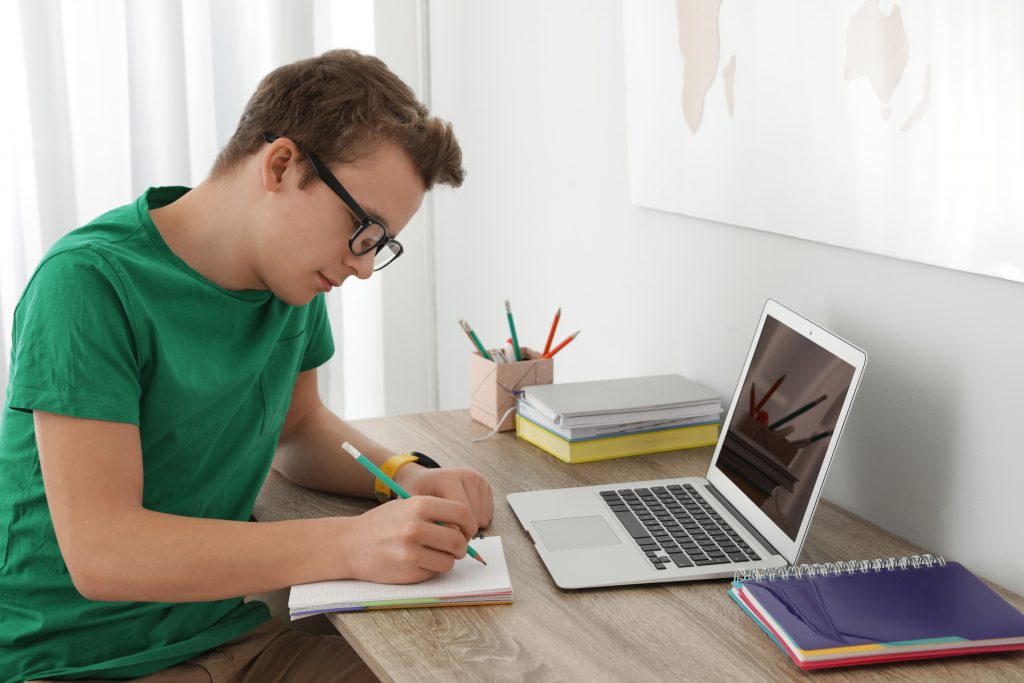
(629, 400)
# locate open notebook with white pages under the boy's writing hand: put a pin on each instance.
(470, 583)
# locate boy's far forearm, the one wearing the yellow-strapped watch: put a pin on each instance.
(311, 455)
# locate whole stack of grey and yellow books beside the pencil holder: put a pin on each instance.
(580, 422)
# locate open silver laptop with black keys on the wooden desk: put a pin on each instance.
(754, 507)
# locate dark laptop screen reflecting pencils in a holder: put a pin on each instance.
(791, 401)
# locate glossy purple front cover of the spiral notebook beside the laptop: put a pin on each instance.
(888, 607)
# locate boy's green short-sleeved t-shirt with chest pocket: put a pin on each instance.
(113, 326)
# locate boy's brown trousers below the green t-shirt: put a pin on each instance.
(271, 654)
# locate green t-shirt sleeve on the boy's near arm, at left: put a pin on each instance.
(73, 351)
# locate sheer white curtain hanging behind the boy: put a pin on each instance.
(107, 98)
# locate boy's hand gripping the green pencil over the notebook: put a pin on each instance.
(401, 542)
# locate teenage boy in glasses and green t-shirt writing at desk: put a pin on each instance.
(164, 356)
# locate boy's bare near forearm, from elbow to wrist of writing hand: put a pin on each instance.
(152, 557)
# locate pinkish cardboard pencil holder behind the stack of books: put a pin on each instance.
(493, 387)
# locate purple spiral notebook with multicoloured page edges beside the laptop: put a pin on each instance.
(869, 612)
